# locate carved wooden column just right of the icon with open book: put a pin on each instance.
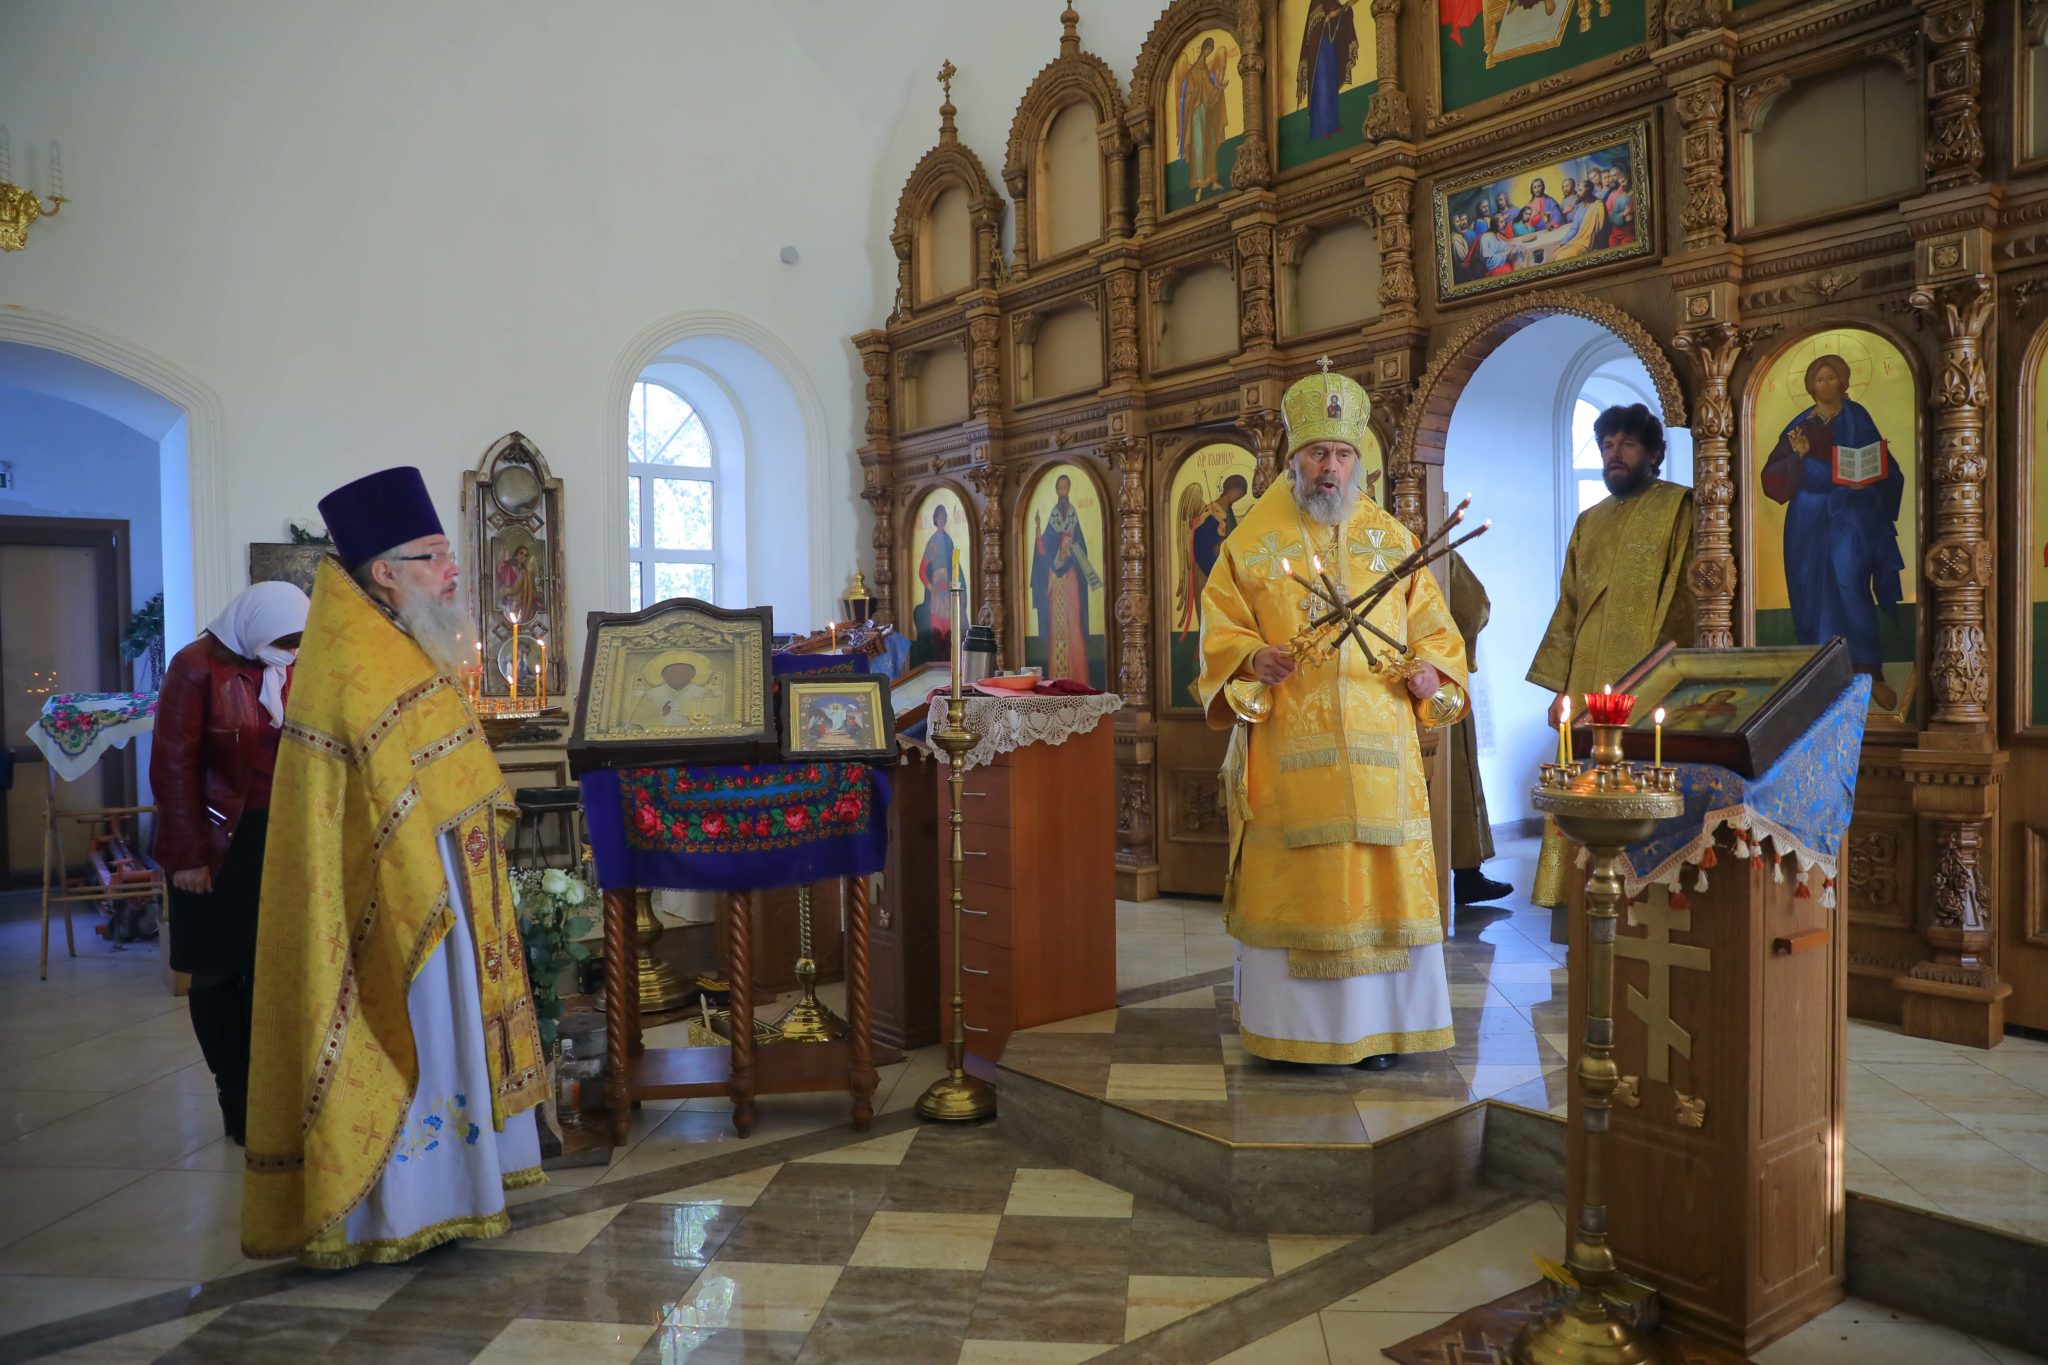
(1957, 560)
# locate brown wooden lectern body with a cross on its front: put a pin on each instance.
(1725, 1157)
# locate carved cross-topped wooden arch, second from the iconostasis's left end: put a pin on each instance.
(1070, 79)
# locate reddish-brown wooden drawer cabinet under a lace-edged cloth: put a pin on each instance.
(1039, 889)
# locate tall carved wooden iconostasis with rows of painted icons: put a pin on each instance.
(1770, 204)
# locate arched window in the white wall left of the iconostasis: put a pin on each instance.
(673, 500)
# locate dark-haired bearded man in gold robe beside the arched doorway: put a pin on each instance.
(1625, 586)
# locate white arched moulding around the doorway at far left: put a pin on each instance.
(212, 552)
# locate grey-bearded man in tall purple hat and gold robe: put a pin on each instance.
(396, 1059)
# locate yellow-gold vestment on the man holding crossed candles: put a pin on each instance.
(1332, 852)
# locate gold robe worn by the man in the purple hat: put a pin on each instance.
(380, 764)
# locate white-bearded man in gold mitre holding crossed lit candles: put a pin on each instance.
(1332, 879)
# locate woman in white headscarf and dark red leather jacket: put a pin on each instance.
(218, 721)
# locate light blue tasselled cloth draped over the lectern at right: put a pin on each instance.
(1801, 805)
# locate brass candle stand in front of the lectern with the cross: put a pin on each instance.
(1609, 807)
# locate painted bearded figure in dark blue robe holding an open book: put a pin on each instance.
(1842, 492)
